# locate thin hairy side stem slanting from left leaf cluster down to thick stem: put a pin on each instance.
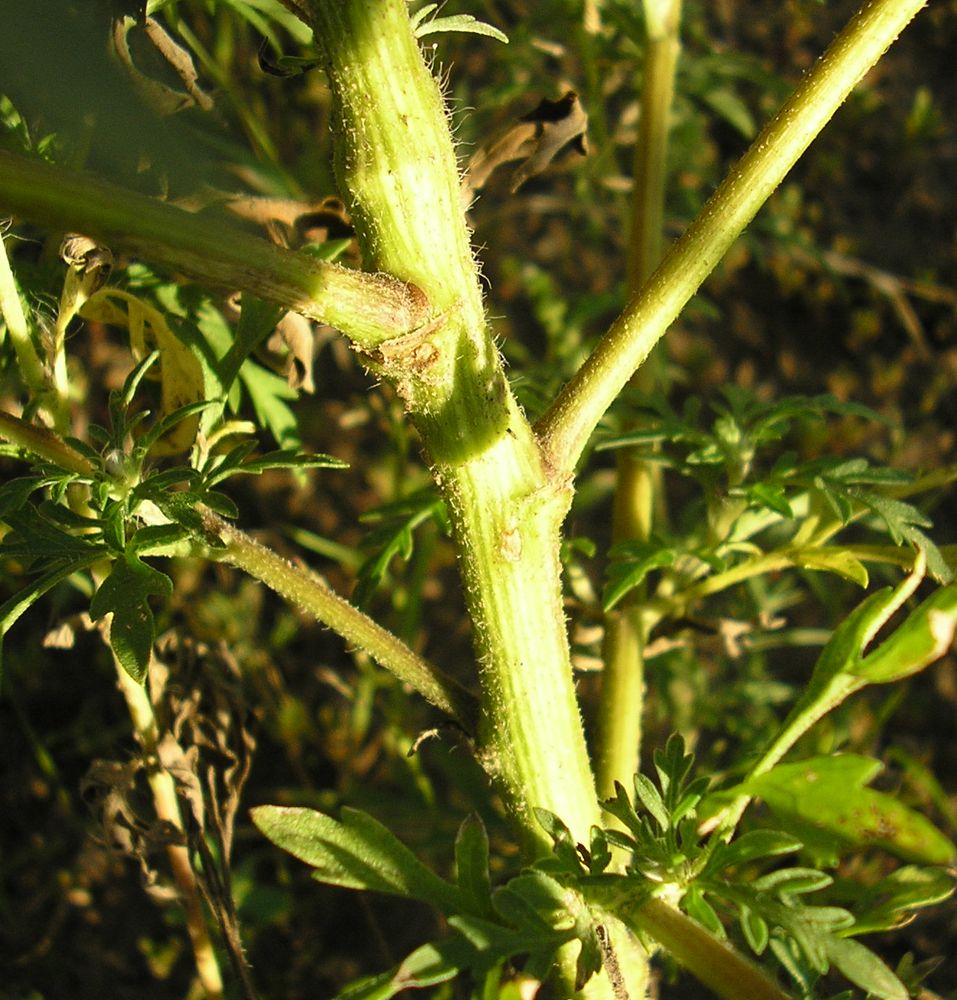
(309, 593)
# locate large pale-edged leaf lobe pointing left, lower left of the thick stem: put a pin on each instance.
(357, 852)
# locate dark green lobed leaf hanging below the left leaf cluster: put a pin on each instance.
(125, 593)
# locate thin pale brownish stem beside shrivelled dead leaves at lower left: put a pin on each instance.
(166, 804)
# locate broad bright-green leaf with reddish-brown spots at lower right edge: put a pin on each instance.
(826, 795)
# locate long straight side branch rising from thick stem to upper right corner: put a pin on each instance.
(567, 425)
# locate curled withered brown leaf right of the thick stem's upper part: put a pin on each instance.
(536, 139)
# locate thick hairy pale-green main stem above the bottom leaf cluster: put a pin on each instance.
(397, 168)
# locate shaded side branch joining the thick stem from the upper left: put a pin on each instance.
(368, 308)
